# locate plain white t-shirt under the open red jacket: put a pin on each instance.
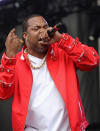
(46, 111)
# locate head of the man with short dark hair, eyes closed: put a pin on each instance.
(33, 26)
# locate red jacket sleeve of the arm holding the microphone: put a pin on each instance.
(84, 57)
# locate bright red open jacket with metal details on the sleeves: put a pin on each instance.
(63, 58)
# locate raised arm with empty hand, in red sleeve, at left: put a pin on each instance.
(7, 66)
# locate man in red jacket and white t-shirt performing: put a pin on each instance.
(42, 78)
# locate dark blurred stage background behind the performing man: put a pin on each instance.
(80, 18)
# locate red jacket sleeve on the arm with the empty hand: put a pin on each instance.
(7, 67)
